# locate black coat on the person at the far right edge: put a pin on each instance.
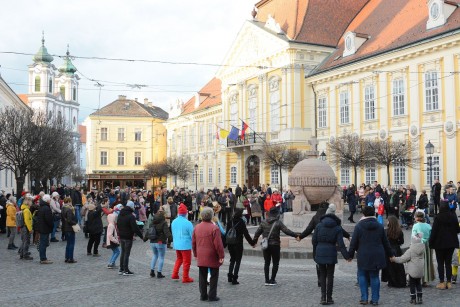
(445, 230)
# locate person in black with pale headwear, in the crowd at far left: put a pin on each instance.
(45, 226)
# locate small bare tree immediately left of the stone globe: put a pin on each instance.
(282, 157)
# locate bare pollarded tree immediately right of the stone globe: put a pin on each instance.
(349, 151)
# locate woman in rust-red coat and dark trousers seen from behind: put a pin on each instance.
(209, 252)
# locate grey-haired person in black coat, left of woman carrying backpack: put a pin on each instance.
(127, 227)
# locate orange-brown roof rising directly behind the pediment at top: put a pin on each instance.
(319, 22)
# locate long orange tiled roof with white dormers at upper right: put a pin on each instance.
(389, 25)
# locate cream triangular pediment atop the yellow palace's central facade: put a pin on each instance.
(252, 48)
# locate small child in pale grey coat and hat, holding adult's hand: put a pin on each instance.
(414, 258)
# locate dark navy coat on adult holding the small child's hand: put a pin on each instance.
(371, 243)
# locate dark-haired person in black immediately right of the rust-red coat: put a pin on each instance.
(236, 250)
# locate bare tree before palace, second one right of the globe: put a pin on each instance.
(387, 153)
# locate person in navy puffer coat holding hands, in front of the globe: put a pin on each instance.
(328, 234)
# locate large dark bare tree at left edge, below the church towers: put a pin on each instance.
(30, 143)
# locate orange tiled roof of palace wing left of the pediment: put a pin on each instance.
(211, 95)
